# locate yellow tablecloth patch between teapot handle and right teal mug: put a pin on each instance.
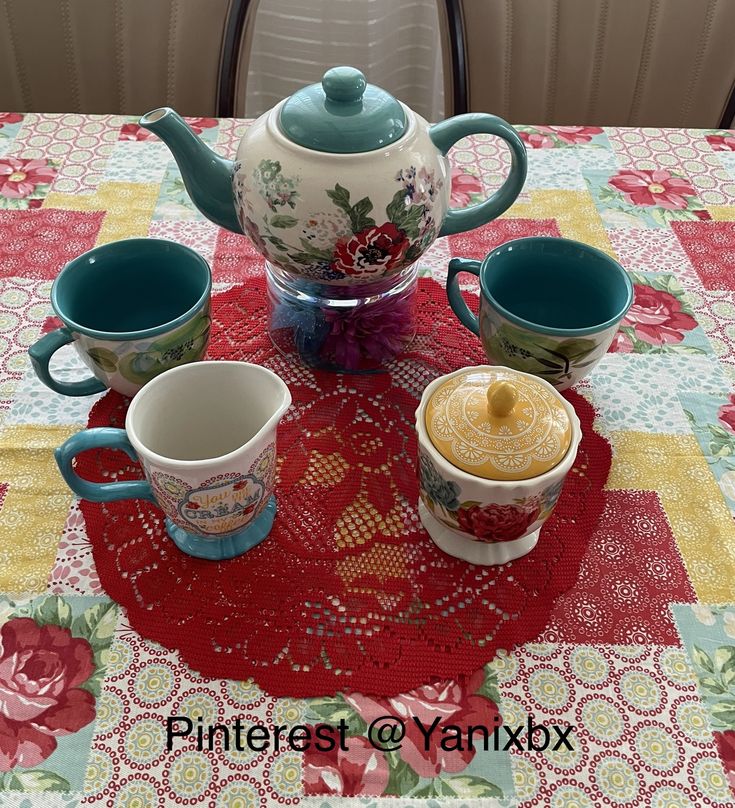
(575, 214)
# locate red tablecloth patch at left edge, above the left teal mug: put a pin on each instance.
(38, 243)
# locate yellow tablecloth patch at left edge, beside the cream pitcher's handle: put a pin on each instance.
(35, 507)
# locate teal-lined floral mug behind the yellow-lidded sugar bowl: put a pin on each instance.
(548, 306)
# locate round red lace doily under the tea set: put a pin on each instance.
(348, 591)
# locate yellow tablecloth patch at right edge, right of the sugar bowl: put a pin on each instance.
(674, 466)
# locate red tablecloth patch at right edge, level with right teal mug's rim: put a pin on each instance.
(711, 249)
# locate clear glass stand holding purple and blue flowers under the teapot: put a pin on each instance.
(356, 328)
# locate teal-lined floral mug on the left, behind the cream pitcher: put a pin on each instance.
(132, 309)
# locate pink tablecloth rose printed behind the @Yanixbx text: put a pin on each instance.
(452, 703)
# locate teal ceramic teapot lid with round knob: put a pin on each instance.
(343, 114)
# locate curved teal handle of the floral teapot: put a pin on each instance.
(446, 133)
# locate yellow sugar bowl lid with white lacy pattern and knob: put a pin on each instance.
(499, 424)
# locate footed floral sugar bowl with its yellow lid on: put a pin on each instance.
(495, 446)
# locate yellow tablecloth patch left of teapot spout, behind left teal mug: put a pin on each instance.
(129, 207)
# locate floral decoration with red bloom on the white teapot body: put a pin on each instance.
(349, 243)
